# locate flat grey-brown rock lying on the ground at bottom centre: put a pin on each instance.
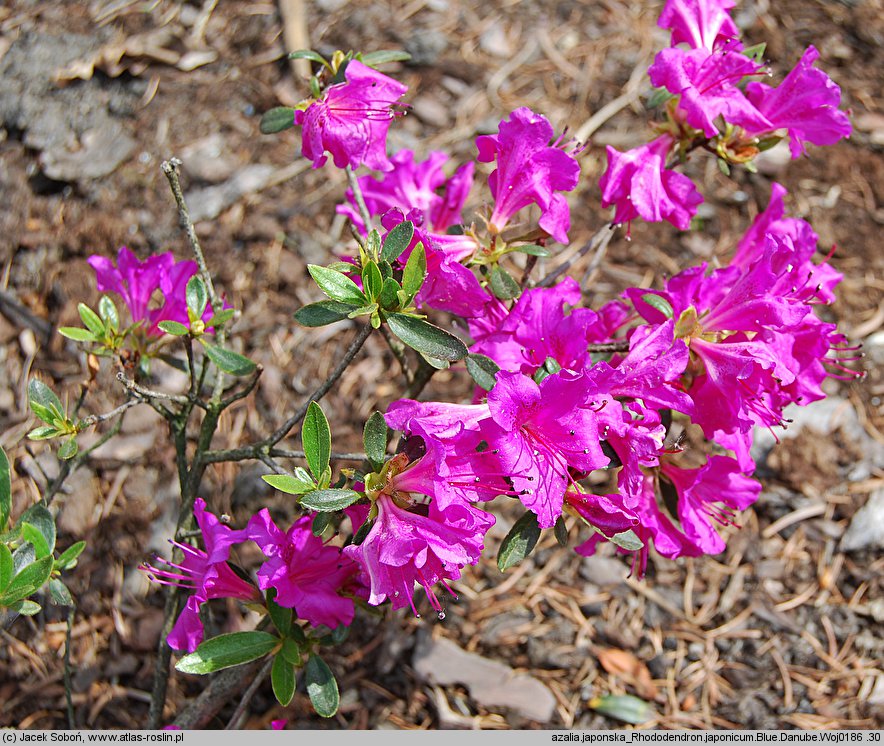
(491, 684)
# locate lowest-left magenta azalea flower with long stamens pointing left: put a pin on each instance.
(206, 573)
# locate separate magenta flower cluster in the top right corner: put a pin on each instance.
(704, 70)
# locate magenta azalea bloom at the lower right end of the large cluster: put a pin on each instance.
(710, 493)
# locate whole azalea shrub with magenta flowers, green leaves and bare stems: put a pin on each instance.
(663, 387)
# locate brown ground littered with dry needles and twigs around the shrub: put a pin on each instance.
(781, 631)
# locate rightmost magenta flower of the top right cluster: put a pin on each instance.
(805, 104)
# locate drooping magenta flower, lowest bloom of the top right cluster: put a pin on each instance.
(638, 184)
